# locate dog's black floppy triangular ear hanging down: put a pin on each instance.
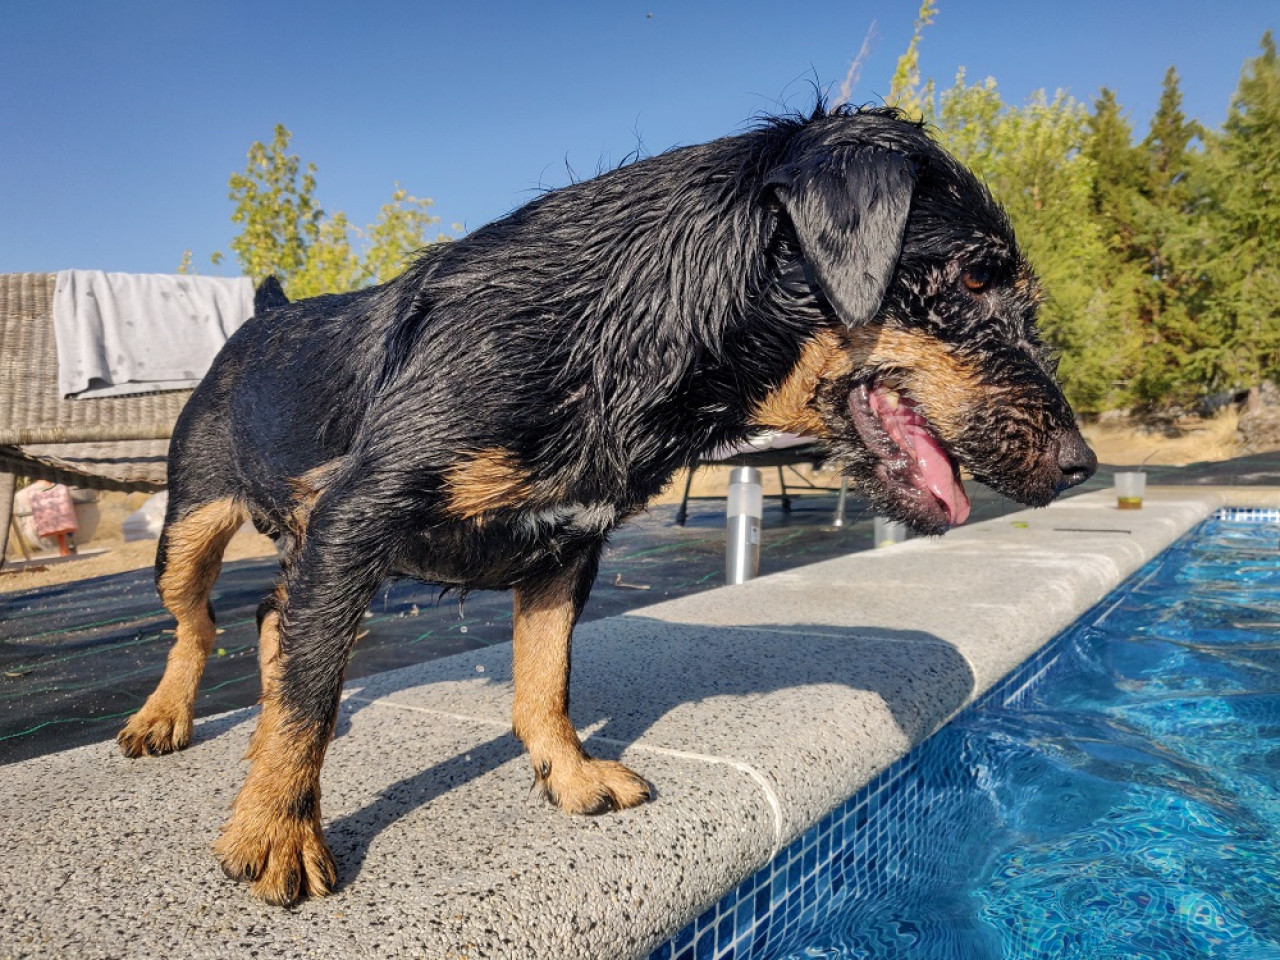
(849, 208)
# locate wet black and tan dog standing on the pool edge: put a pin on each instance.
(487, 419)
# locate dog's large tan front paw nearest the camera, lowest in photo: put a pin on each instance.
(285, 862)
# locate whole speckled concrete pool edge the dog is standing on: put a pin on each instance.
(752, 710)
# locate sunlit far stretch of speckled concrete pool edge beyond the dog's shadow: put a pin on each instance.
(994, 592)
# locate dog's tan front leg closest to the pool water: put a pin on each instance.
(545, 618)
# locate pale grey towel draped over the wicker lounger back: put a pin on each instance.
(136, 333)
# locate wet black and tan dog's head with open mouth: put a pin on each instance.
(929, 359)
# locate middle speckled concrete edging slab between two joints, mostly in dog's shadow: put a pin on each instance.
(807, 716)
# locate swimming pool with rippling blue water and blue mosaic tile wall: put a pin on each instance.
(1119, 796)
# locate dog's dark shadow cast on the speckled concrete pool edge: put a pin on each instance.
(621, 693)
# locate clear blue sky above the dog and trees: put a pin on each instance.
(121, 122)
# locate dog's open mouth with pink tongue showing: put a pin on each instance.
(915, 467)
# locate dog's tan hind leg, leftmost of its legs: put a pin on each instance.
(191, 555)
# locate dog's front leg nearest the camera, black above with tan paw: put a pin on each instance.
(275, 838)
